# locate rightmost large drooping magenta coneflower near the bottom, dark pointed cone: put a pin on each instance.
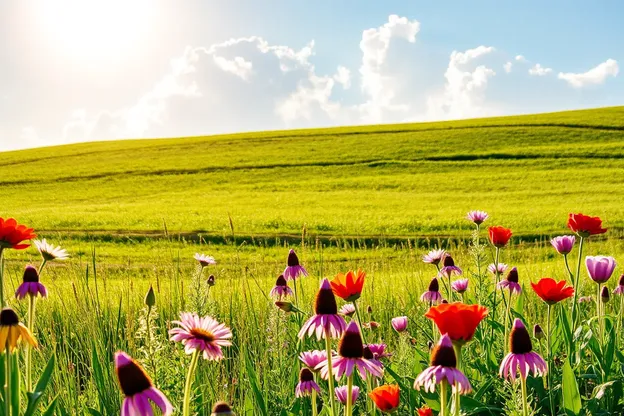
(521, 359)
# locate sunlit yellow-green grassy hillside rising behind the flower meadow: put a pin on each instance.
(401, 180)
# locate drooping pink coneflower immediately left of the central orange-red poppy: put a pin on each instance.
(326, 320)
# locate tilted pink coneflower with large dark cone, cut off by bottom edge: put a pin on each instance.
(138, 389)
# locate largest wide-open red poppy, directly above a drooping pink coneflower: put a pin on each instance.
(458, 320)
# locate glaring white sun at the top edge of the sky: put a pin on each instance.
(93, 28)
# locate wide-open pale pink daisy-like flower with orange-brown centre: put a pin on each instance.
(204, 335)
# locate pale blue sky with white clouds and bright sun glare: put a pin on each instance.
(86, 70)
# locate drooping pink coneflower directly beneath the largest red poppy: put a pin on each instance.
(443, 368)
